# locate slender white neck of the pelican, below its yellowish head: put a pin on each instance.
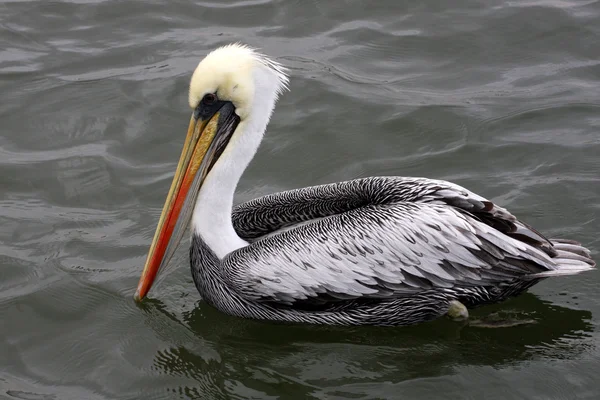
(212, 215)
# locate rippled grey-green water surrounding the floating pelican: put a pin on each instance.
(501, 97)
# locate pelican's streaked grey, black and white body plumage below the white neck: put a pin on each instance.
(378, 251)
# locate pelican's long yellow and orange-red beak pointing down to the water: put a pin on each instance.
(206, 138)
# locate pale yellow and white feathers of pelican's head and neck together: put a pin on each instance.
(252, 82)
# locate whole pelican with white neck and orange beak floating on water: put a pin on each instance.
(382, 250)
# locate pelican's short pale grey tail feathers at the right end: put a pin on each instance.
(571, 258)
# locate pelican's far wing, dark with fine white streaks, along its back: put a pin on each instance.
(279, 211)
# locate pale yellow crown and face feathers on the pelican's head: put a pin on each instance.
(231, 72)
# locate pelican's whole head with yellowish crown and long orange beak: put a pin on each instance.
(232, 94)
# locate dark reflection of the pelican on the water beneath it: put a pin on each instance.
(231, 356)
